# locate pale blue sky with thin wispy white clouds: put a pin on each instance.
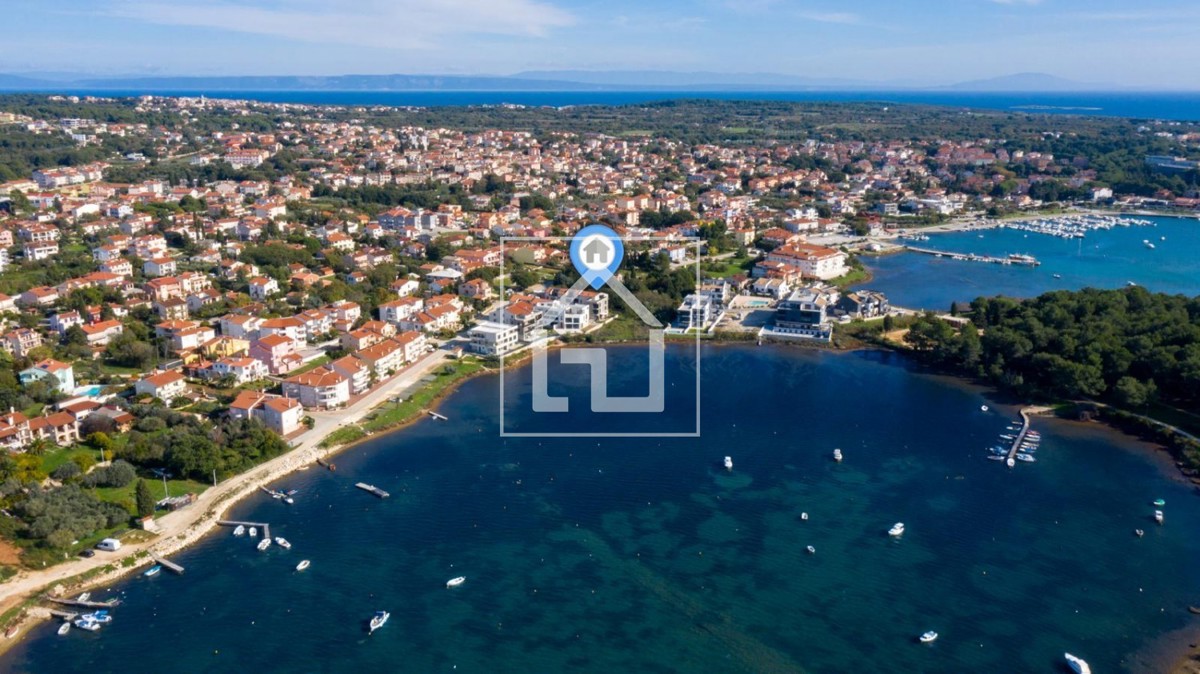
(1145, 44)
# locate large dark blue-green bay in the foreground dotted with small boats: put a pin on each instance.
(645, 556)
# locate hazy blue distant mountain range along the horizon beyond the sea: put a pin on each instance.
(532, 81)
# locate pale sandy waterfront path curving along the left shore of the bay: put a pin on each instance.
(184, 527)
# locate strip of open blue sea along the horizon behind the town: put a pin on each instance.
(1145, 105)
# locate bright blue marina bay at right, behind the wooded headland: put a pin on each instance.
(1103, 260)
